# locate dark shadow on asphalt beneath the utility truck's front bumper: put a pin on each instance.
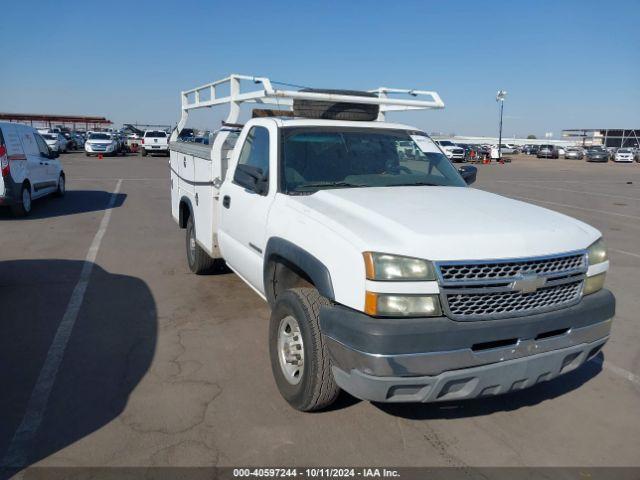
(500, 403)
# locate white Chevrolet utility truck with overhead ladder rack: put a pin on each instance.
(387, 275)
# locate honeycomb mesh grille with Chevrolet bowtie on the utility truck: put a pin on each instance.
(498, 289)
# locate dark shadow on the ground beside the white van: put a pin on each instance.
(74, 202)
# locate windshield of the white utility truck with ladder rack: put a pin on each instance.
(319, 158)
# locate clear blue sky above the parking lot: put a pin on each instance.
(564, 64)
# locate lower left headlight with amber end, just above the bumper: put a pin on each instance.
(392, 305)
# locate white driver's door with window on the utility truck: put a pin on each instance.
(244, 212)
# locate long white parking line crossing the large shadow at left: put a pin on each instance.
(17, 453)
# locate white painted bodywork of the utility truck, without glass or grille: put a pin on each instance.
(336, 226)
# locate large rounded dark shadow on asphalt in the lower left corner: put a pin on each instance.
(107, 352)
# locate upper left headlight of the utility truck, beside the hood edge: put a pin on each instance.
(382, 266)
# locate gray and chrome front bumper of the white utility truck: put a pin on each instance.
(437, 359)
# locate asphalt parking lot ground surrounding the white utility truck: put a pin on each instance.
(157, 366)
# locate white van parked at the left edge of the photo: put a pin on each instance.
(30, 169)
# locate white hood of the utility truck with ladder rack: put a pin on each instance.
(444, 223)
